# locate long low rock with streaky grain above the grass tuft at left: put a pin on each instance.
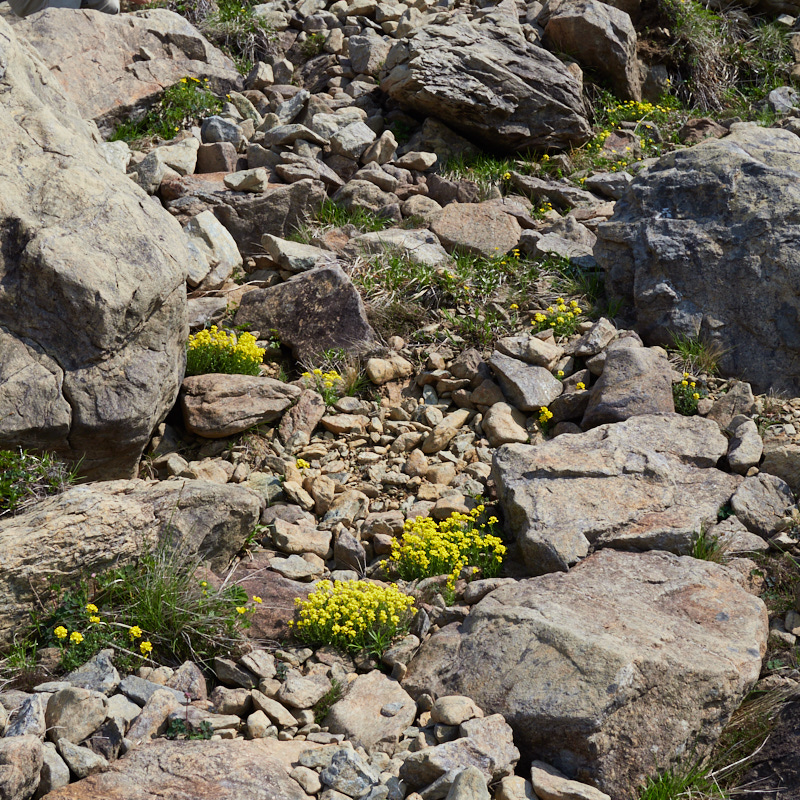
(93, 527)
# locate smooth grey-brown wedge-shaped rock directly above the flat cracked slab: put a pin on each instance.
(635, 381)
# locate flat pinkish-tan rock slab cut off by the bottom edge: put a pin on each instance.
(201, 770)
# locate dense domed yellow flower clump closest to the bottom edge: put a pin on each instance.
(353, 615)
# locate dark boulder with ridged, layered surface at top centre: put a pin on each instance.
(489, 83)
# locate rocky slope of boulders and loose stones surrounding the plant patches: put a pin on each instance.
(604, 653)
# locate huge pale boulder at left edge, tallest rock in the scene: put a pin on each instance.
(92, 285)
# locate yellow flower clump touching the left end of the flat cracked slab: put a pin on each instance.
(429, 548)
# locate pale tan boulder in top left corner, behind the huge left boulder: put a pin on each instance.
(113, 66)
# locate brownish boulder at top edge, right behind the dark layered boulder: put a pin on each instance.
(599, 36)
